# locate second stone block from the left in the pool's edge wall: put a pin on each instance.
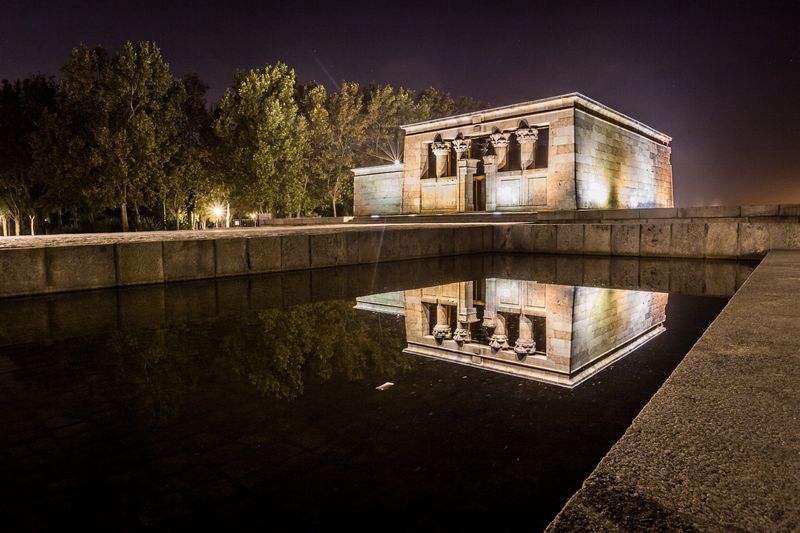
(80, 267)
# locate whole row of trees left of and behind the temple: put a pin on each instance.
(118, 142)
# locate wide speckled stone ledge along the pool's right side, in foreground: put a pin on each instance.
(718, 447)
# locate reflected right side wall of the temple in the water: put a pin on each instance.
(605, 319)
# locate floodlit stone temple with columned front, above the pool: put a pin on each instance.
(560, 153)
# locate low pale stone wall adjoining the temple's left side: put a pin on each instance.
(378, 190)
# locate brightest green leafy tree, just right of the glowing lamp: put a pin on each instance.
(262, 140)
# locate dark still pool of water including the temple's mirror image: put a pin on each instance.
(263, 402)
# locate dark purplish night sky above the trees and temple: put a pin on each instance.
(722, 78)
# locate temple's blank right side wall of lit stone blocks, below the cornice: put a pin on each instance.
(618, 168)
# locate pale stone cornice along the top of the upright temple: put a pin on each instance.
(575, 100)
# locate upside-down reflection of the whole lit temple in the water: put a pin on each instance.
(558, 334)
